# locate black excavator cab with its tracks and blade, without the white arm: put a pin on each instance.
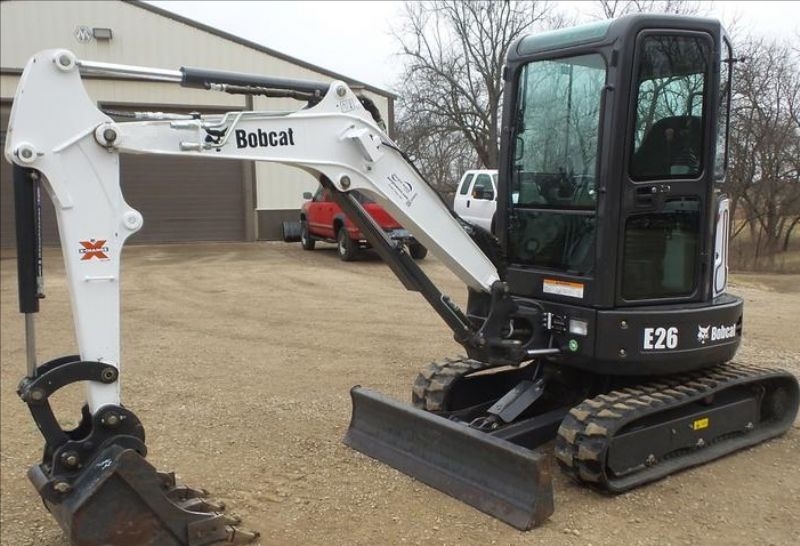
(614, 232)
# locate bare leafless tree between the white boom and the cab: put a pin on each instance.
(452, 85)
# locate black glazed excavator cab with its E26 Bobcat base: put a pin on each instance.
(614, 145)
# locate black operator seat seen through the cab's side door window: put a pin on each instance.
(671, 148)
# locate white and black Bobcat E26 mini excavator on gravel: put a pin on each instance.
(597, 317)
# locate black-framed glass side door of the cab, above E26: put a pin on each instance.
(668, 179)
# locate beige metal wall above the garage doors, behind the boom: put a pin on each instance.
(140, 37)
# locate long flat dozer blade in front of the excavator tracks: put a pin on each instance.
(495, 476)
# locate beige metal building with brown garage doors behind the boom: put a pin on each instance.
(181, 199)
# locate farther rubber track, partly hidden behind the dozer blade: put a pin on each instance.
(434, 382)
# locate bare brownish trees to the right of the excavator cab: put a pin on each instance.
(764, 169)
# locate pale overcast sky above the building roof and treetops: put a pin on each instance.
(354, 38)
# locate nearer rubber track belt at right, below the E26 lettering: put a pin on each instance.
(585, 433)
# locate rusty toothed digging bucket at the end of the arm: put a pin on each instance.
(120, 500)
